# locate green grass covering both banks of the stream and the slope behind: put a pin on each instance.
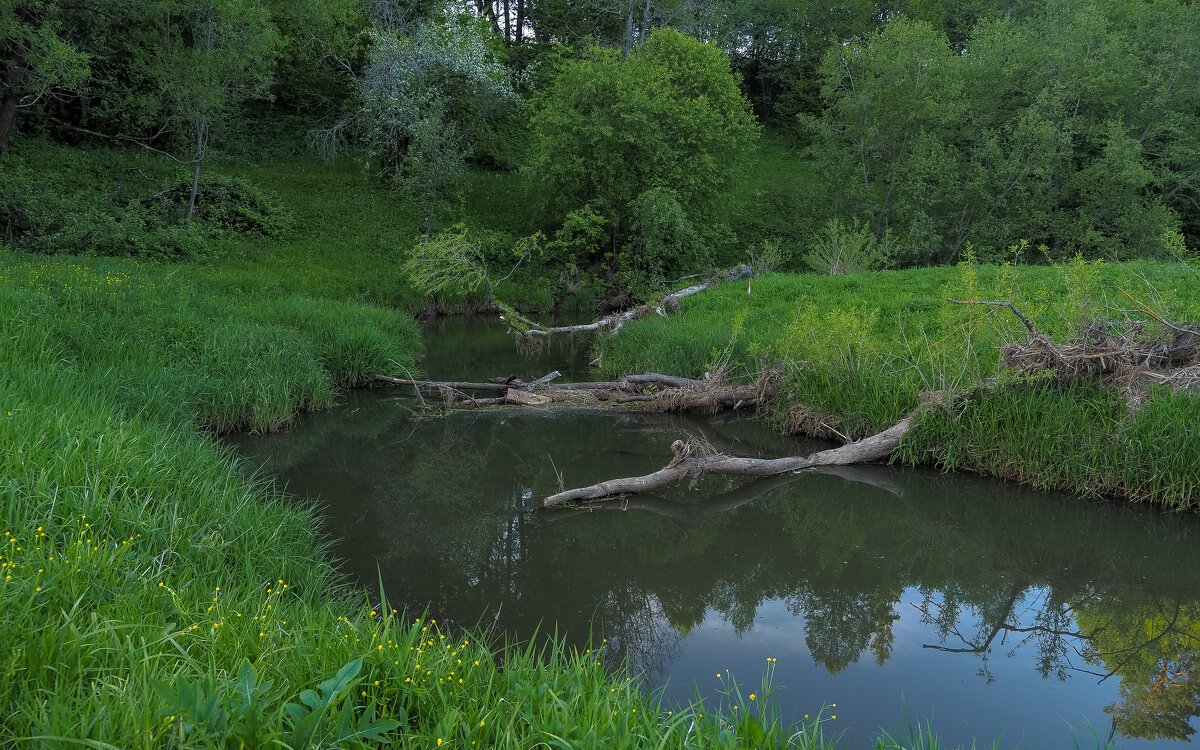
(155, 596)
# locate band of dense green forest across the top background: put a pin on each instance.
(625, 134)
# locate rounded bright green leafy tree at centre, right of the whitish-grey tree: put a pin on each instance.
(650, 142)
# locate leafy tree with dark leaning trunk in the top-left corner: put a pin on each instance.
(38, 59)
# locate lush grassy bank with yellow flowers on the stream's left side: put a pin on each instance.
(147, 604)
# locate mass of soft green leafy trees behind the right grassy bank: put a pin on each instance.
(1061, 124)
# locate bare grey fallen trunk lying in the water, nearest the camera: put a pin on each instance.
(686, 466)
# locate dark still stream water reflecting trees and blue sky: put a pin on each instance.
(993, 611)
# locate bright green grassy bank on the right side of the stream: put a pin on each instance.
(861, 349)
